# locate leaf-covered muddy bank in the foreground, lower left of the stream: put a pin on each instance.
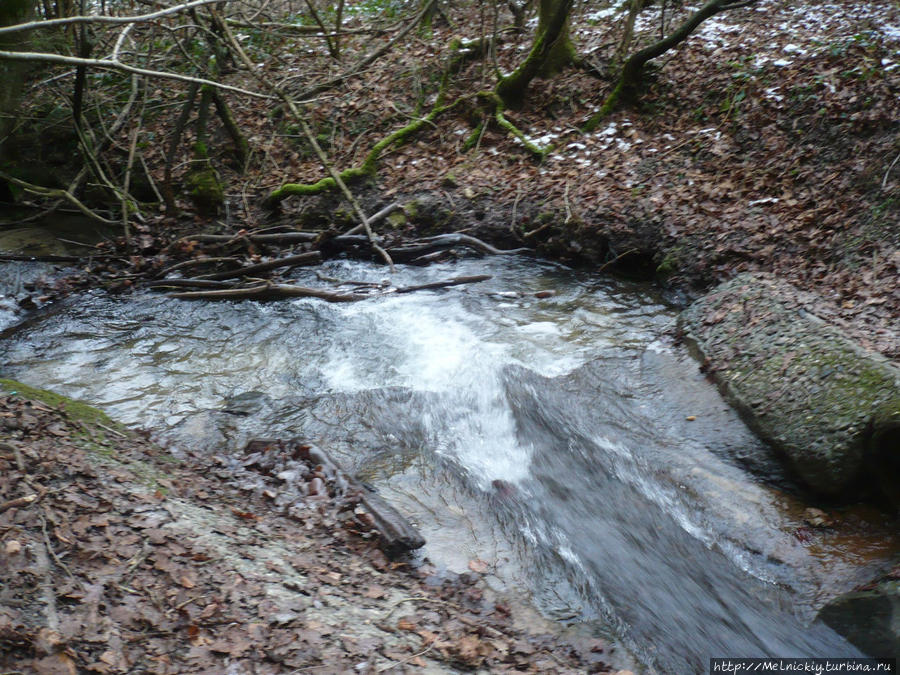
(123, 560)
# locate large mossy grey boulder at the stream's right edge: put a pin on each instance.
(828, 405)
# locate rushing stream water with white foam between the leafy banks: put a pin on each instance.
(546, 436)
